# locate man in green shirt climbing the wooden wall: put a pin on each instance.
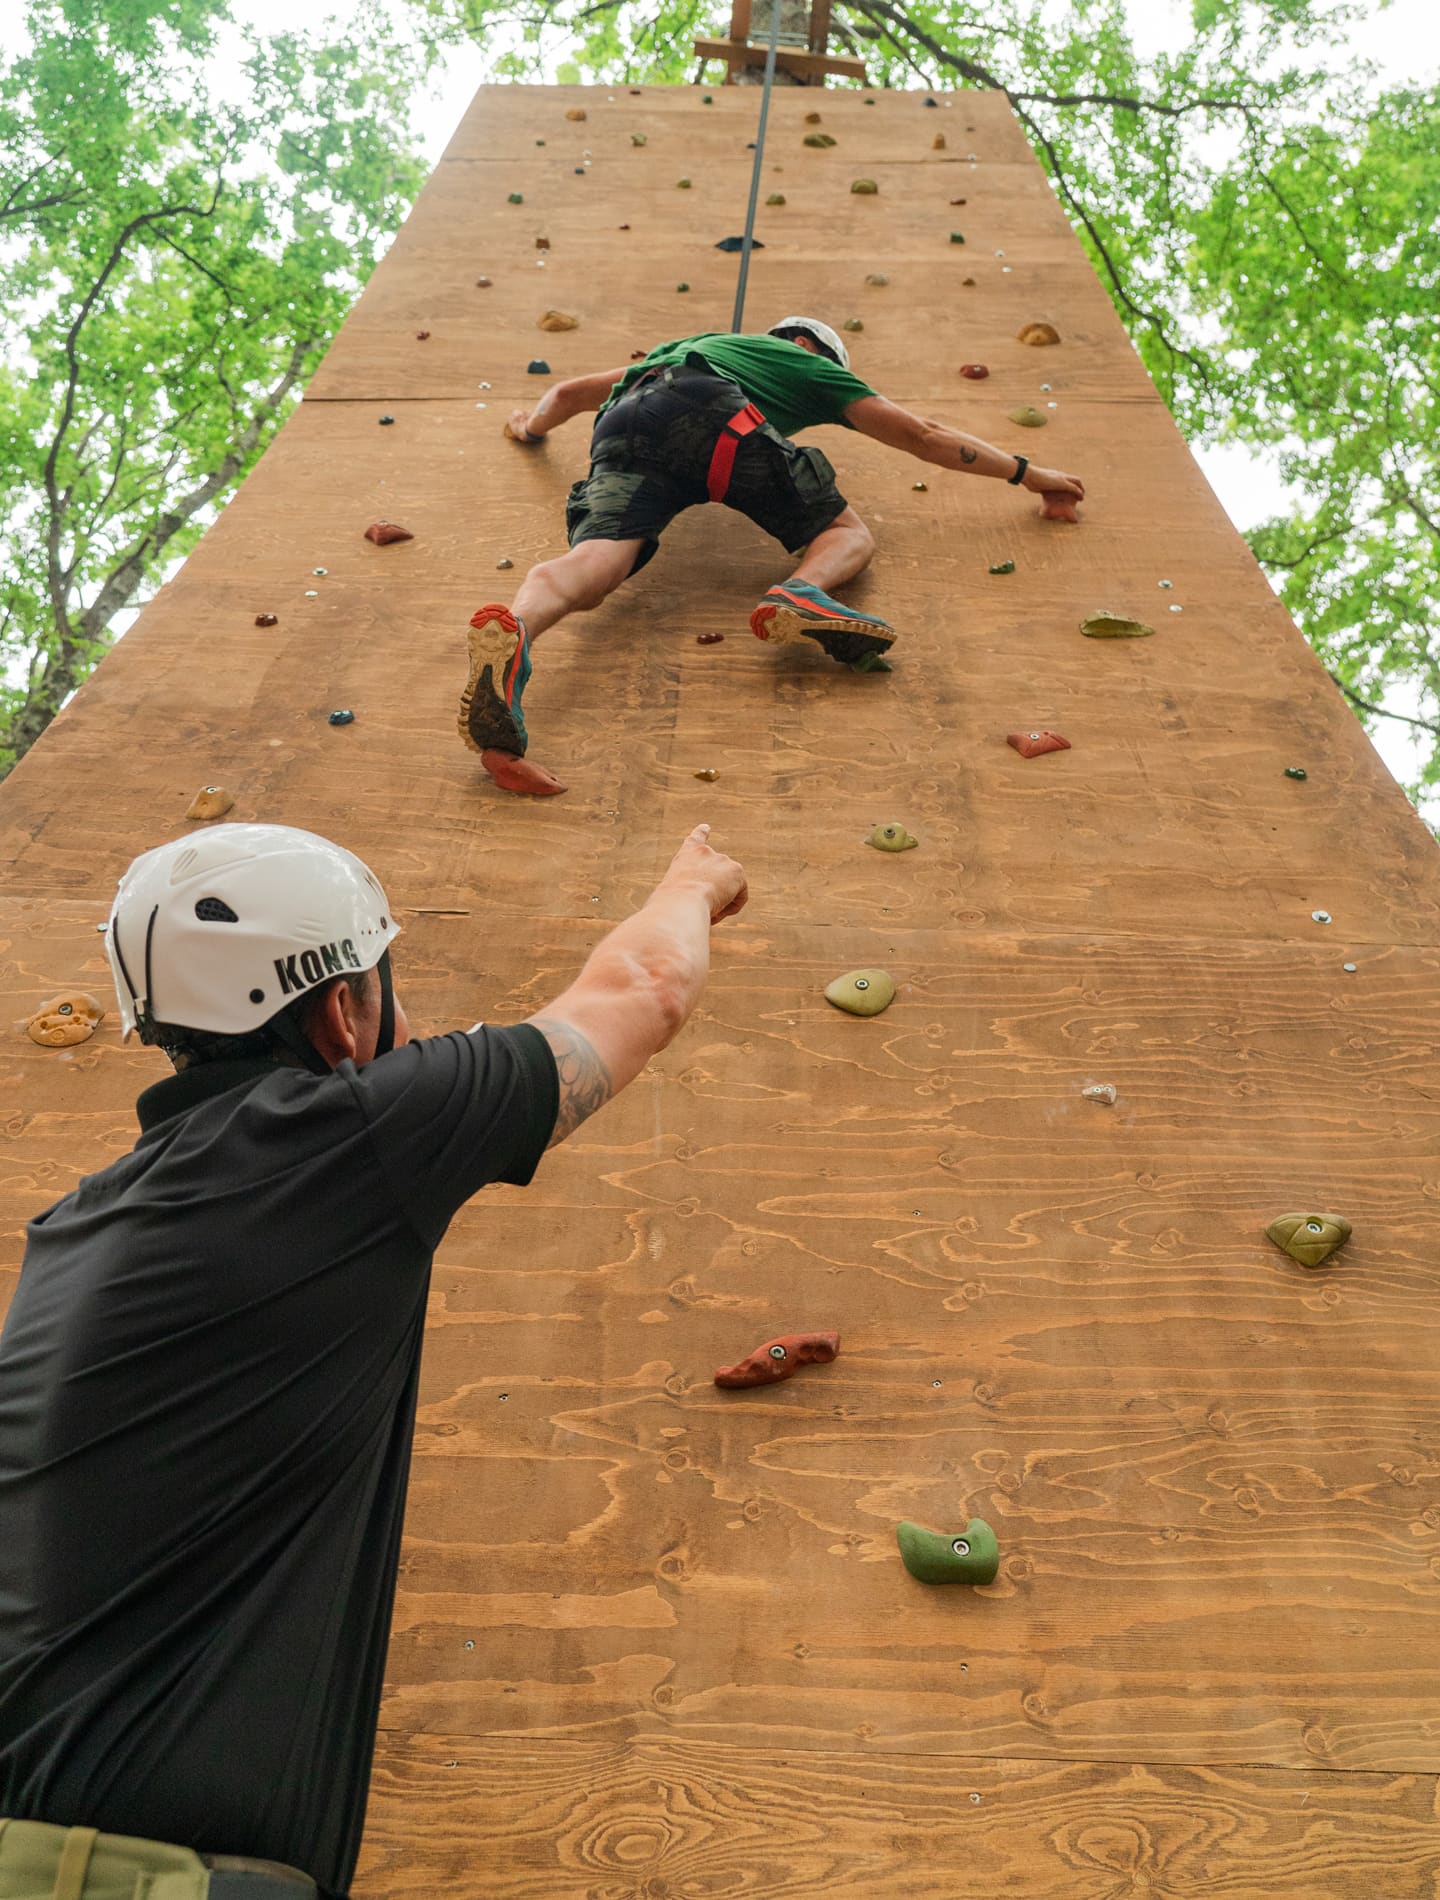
(710, 419)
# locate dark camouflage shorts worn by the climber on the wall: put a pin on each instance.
(651, 459)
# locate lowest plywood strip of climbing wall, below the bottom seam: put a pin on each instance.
(658, 1821)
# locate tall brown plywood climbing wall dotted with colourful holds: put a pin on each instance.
(654, 1639)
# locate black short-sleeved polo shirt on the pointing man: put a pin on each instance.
(208, 1388)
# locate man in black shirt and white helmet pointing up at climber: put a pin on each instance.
(208, 1375)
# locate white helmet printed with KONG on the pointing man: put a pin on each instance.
(227, 930)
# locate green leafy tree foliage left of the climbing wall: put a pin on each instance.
(172, 265)
